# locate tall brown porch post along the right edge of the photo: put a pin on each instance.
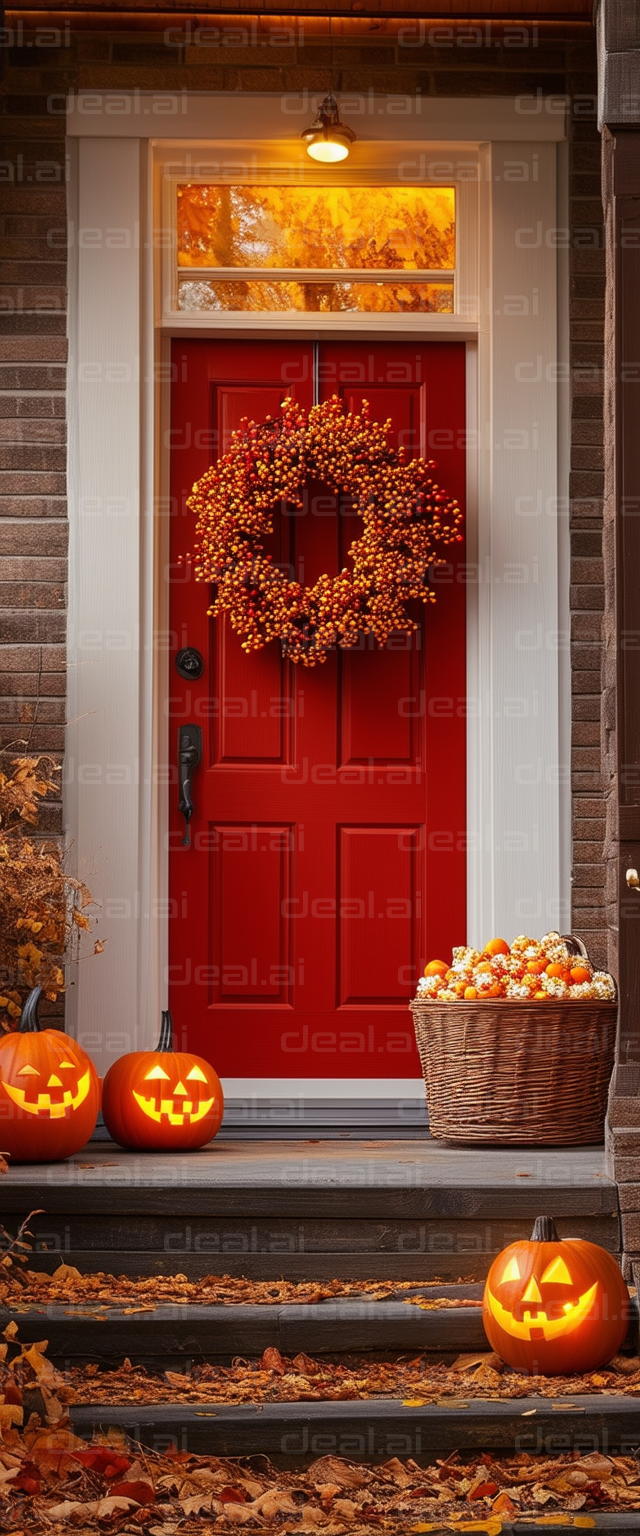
(619, 121)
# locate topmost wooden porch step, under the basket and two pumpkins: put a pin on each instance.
(309, 1211)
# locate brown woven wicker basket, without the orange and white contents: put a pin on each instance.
(506, 1071)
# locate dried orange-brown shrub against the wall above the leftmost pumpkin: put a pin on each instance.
(42, 907)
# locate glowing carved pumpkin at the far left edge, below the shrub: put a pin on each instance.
(50, 1091)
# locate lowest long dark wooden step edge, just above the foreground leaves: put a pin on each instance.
(295, 1434)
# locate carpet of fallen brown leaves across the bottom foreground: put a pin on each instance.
(53, 1483)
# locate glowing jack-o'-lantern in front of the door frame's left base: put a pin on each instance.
(162, 1099)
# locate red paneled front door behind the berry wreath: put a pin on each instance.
(328, 856)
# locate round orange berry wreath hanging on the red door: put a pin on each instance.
(406, 520)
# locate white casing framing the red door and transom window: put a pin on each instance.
(515, 300)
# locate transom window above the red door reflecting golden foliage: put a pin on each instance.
(317, 250)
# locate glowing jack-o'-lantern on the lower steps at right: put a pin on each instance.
(555, 1308)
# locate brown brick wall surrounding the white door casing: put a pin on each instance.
(33, 297)
